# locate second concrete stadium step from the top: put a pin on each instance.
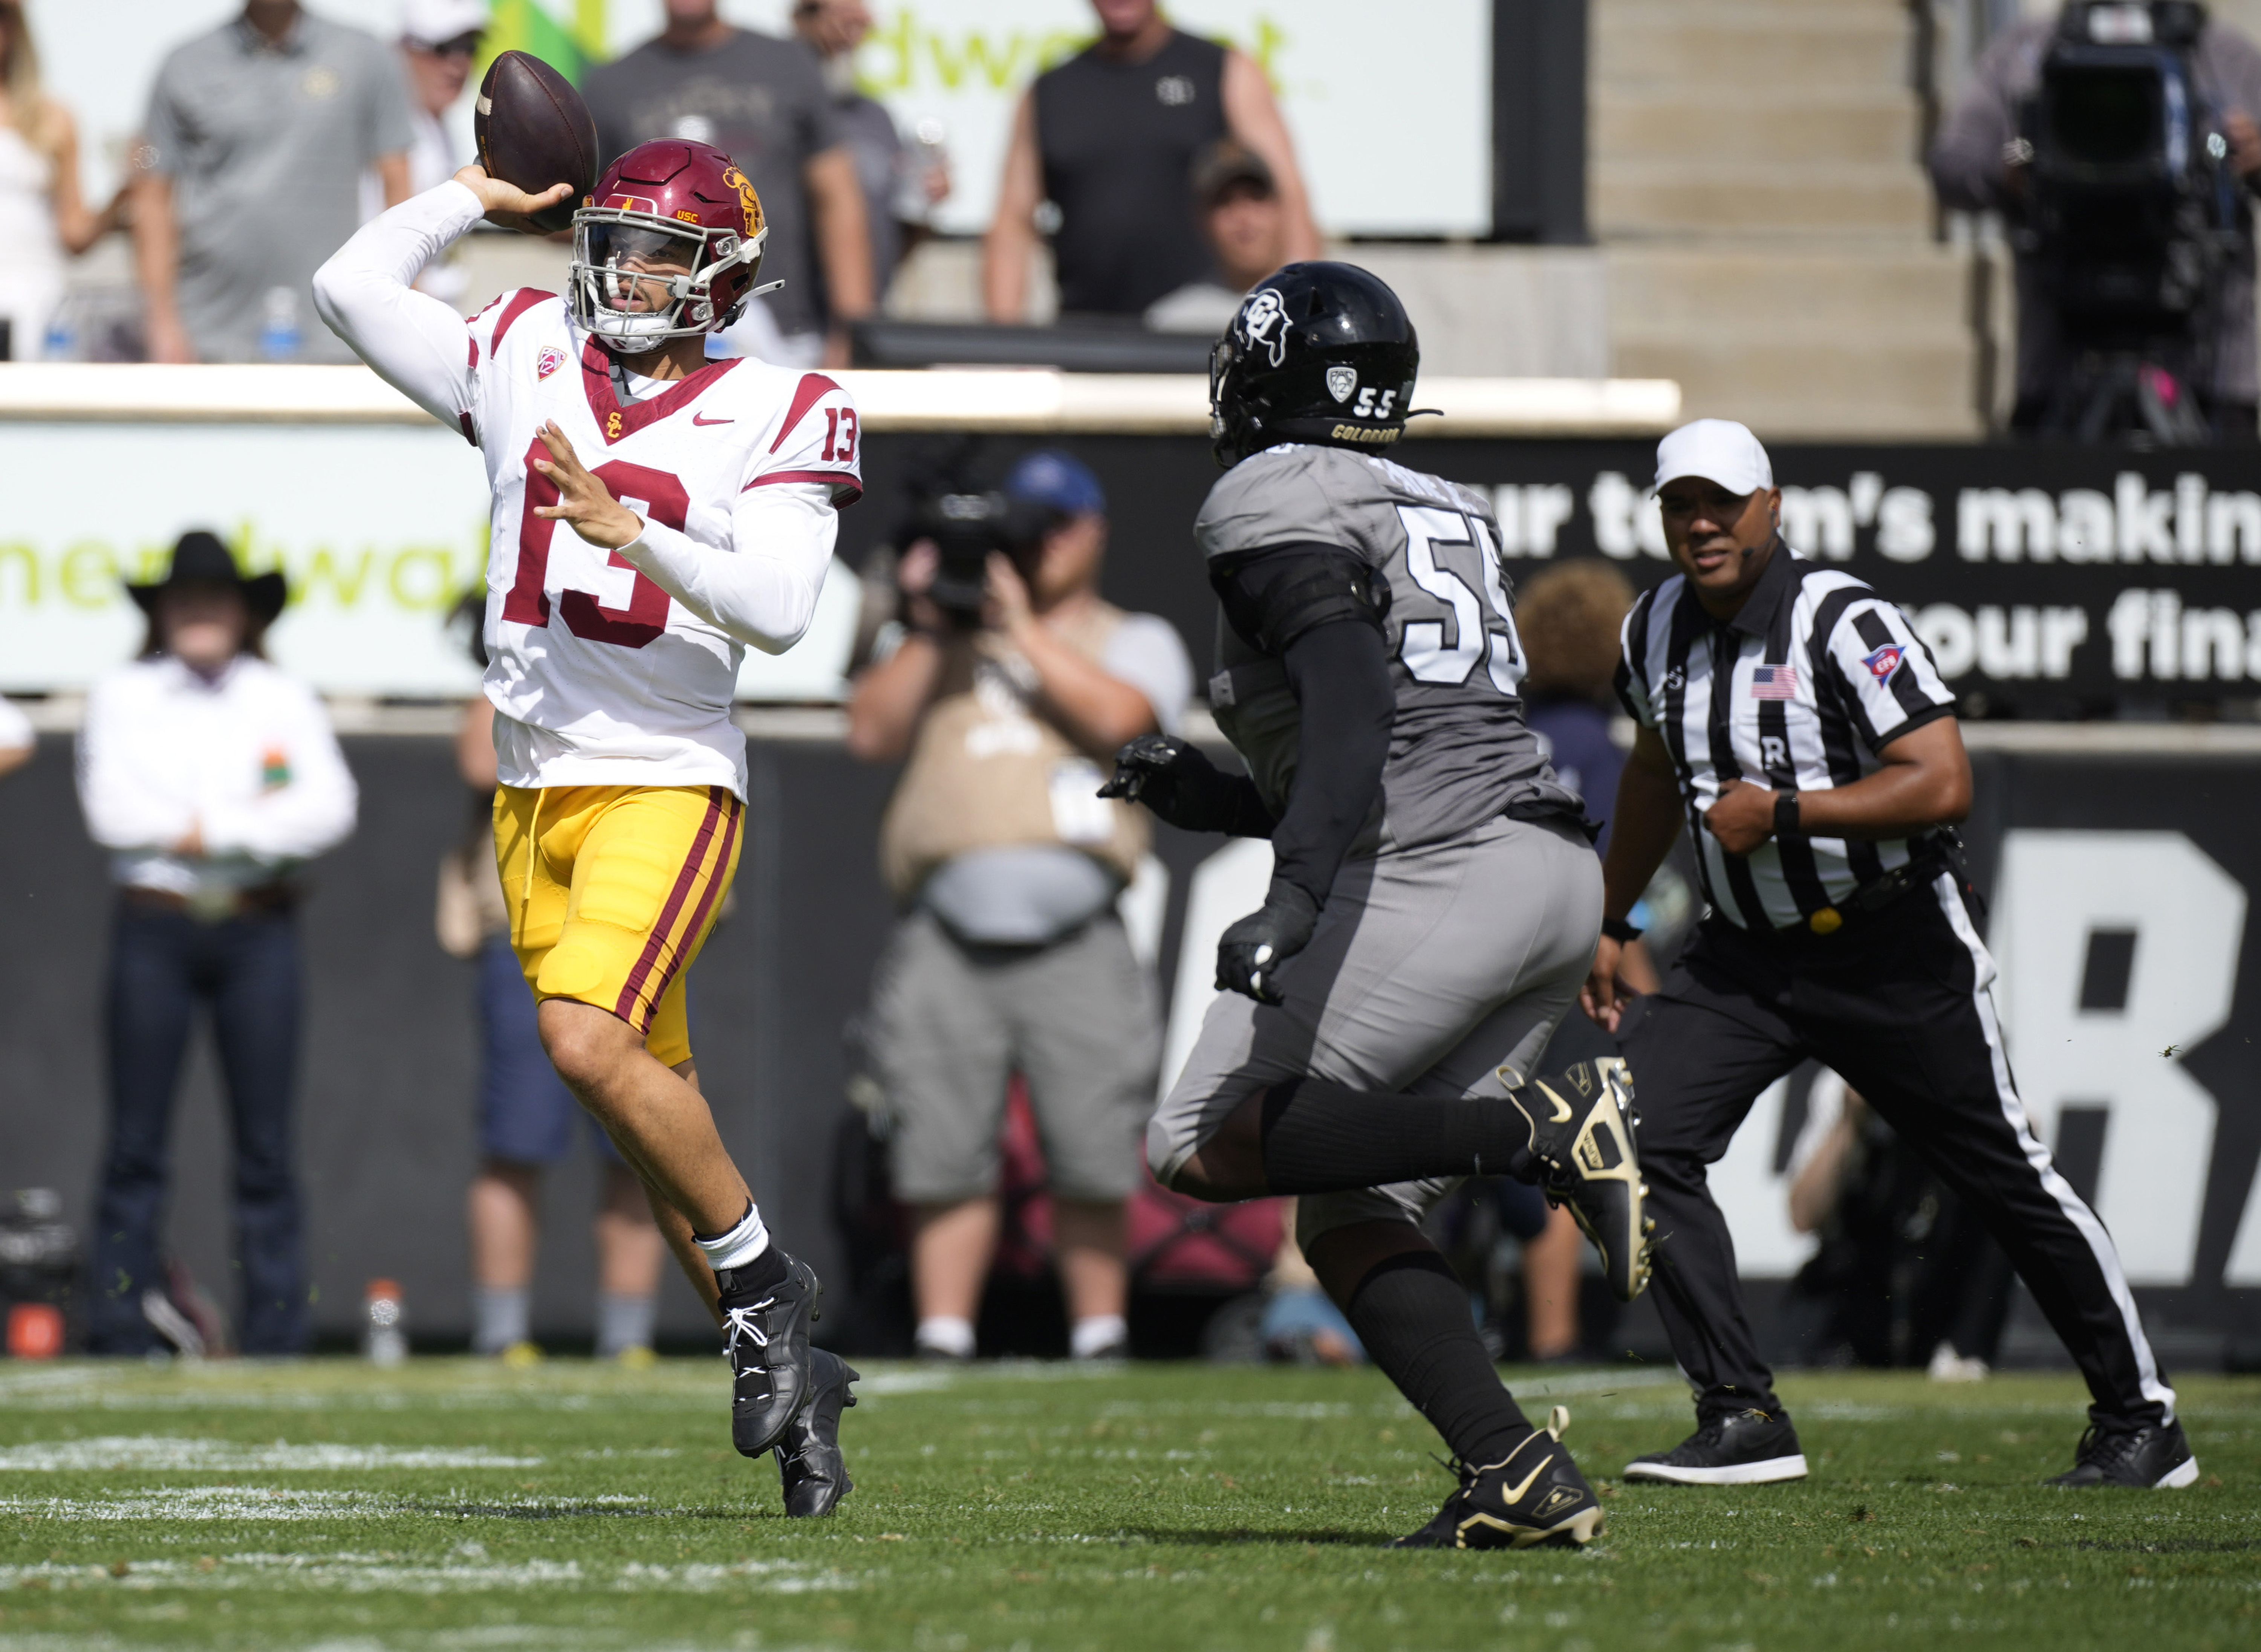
(1778, 128)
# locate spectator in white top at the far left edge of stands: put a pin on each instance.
(42, 216)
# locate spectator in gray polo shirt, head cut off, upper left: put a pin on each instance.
(250, 175)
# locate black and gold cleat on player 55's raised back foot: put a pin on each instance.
(1584, 1138)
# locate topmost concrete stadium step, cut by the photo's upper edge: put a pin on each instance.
(1733, 46)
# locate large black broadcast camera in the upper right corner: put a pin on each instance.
(2133, 216)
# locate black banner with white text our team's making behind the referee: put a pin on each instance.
(2054, 582)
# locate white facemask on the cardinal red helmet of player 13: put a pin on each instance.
(639, 279)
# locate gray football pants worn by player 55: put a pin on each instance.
(1430, 973)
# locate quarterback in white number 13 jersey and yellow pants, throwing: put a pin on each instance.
(700, 507)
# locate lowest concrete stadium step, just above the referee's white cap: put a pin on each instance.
(1814, 385)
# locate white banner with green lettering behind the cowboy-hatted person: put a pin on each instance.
(379, 530)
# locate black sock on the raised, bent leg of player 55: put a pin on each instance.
(1326, 1138)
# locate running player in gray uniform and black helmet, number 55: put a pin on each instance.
(1435, 898)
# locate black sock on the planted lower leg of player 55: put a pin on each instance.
(1412, 1314)
